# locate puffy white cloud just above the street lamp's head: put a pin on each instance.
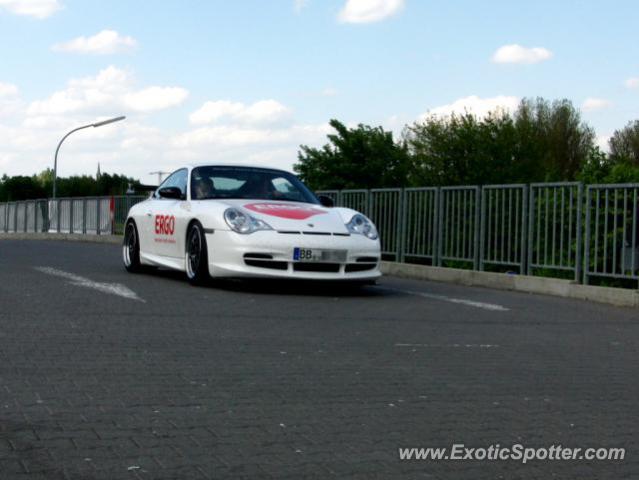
(111, 89)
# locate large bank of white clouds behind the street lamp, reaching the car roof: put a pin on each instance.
(242, 133)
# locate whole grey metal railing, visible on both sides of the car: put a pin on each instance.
(562, 229)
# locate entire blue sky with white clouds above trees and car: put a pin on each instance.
(248, 81)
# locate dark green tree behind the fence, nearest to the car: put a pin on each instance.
(362, 157)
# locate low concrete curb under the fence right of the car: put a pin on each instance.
(619, 297)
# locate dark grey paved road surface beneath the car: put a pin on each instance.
(108, 375)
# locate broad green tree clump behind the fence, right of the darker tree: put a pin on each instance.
(540, 141)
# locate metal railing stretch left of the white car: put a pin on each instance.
(83, 215)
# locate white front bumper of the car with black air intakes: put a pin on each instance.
(269, 254)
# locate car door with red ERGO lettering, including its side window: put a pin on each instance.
(166, 216)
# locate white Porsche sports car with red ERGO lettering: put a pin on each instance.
(239, 221)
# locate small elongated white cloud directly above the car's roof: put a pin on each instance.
(261, 112)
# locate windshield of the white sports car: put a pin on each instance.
(250, 183)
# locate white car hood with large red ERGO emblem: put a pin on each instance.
(293, 216)
